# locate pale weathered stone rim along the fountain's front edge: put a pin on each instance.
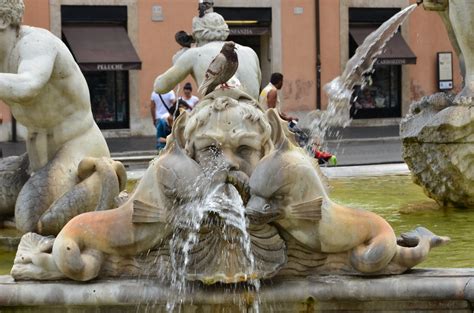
(418, 286)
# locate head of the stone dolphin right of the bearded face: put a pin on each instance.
(284, 178)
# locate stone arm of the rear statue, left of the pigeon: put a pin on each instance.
(175, 74)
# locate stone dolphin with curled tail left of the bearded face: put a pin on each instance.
(139, 224)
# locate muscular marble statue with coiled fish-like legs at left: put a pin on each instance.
(47, 93)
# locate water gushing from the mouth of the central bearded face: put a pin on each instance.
(220, 208)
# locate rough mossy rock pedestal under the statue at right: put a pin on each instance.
(438, 147)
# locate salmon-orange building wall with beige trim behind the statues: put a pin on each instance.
(290, 48)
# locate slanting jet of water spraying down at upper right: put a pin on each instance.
(340, 89)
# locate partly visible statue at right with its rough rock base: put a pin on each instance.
(438, 133)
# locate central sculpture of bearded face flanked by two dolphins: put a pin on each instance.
(230, 175)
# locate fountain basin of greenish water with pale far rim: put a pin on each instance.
(386, 189)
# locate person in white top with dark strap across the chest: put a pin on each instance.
(161, 107)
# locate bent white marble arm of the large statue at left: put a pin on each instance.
(37, 58)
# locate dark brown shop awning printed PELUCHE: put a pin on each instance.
(102, 48)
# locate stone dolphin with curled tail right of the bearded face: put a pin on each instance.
(287, 182)
